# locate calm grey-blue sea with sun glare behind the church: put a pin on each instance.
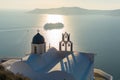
(97, 34)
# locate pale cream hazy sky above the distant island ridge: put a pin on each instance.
(31, 4)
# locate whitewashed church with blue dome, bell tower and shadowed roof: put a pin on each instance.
(64, 64)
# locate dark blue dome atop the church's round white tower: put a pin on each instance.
(38, 39)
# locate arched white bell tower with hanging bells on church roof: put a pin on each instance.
(65, 44)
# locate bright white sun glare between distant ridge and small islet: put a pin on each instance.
(55, 19)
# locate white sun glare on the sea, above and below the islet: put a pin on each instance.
(54, 36)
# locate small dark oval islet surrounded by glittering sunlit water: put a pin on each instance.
(50, 26)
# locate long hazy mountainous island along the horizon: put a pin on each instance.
(74, 11)
